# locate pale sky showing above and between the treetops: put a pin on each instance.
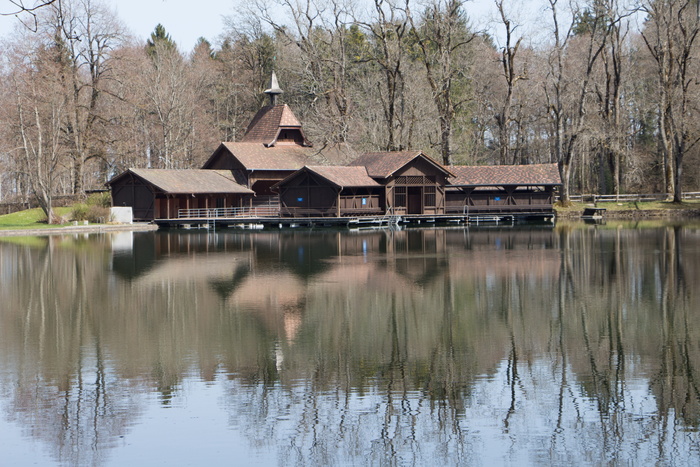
(187, 20)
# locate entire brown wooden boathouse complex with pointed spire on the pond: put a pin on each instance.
(274, 176)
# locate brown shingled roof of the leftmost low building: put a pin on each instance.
(189, 180)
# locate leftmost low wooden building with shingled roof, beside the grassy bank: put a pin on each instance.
(161, 193)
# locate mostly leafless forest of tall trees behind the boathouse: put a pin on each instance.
(611, 95)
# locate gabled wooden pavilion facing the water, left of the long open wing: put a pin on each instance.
(413, 182)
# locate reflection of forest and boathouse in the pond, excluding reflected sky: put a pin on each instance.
(423, 318)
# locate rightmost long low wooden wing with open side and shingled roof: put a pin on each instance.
(515, 189)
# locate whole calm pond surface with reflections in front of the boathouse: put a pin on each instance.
(568, 345)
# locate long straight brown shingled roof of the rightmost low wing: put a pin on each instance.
(496, 175)
